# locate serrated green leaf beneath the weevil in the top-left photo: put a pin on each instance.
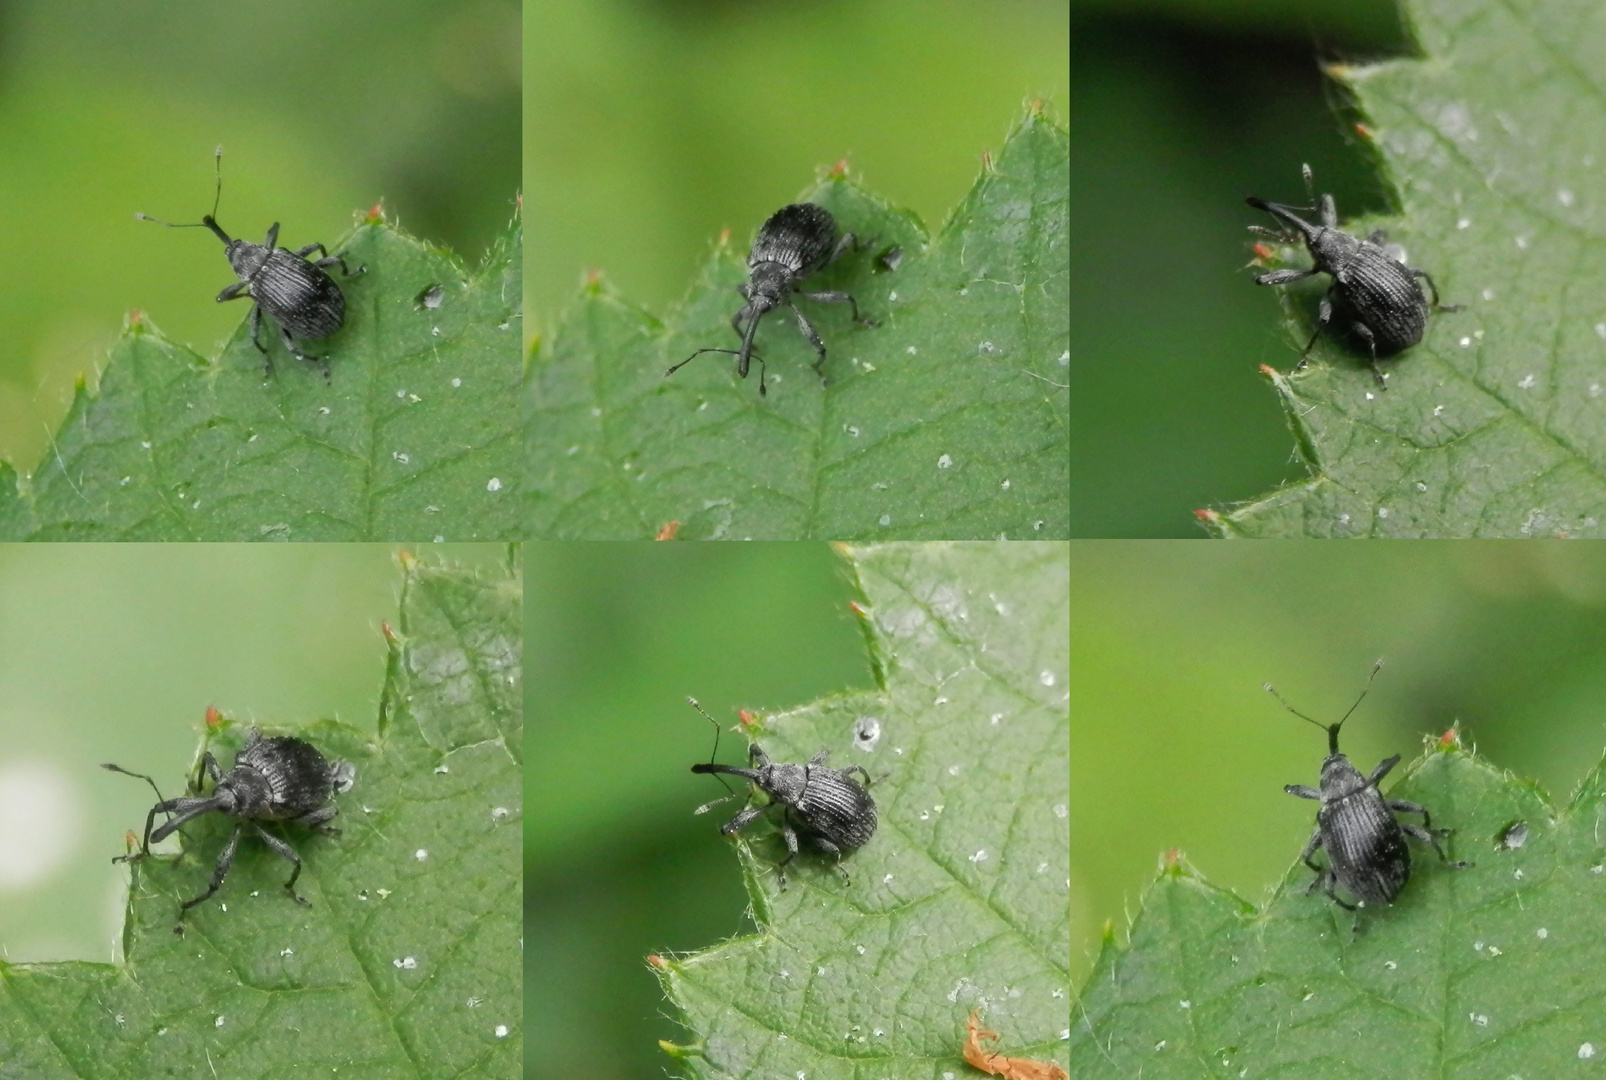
(414, 438)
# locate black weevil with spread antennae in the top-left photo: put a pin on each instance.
(296, 292)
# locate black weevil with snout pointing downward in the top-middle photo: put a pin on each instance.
(797, 242)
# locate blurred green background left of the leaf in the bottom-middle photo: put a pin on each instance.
(616, 865)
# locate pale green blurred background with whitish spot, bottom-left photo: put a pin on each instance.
(113, 652)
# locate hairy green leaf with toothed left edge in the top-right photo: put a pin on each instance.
(1496, 423)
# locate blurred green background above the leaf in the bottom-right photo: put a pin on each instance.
(1178, 745)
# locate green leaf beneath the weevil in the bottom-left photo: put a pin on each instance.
(406, 965)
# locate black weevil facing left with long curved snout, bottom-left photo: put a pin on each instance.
(279, 779)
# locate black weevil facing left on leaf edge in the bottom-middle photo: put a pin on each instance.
(825, 804)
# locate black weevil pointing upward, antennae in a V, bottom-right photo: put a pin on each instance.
(1356, 825)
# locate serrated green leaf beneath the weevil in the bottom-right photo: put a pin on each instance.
(1486, 973)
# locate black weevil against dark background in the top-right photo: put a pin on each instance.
(1372, 287)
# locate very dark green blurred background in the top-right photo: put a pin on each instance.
(1181, 110)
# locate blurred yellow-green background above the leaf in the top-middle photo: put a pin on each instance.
(653, 125)
